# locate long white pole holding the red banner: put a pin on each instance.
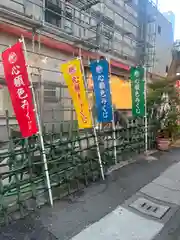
(39, 127)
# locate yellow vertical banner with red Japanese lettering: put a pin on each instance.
(74, 80)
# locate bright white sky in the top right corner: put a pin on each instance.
(174, 6)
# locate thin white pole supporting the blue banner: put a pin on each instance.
(113, 122)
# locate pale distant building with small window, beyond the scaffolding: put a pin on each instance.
(159, 34)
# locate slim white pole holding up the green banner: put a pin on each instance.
(145, 107)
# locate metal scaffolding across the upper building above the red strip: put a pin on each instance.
(105, 26)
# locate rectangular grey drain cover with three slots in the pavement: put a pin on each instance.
(150, 208)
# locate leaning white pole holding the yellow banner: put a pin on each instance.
(94, 129)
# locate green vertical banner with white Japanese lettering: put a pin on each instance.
(137, 91)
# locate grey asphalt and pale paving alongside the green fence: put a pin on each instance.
(103, 209)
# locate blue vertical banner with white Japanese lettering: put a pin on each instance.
(100, 76)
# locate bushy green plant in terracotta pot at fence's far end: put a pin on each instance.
(162, 103)
